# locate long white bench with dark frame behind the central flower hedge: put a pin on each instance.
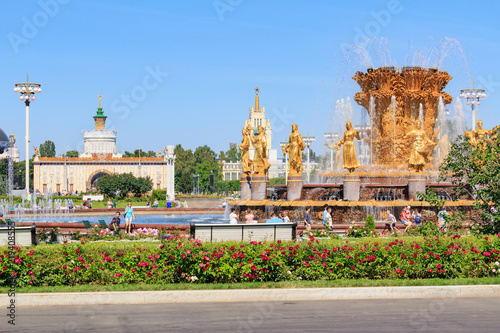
(243, 232)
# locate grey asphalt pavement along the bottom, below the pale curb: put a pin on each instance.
(467, 314)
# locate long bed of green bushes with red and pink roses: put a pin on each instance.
(190, 261)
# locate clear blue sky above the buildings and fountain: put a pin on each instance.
(207, 56)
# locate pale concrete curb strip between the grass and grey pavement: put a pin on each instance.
(250, 295)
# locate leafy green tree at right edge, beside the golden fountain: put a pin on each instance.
(476, 173)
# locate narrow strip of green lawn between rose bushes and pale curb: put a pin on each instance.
(258, 285)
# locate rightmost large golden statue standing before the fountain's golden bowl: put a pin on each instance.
(421, 149)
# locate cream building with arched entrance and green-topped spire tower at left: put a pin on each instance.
(79, 174)
